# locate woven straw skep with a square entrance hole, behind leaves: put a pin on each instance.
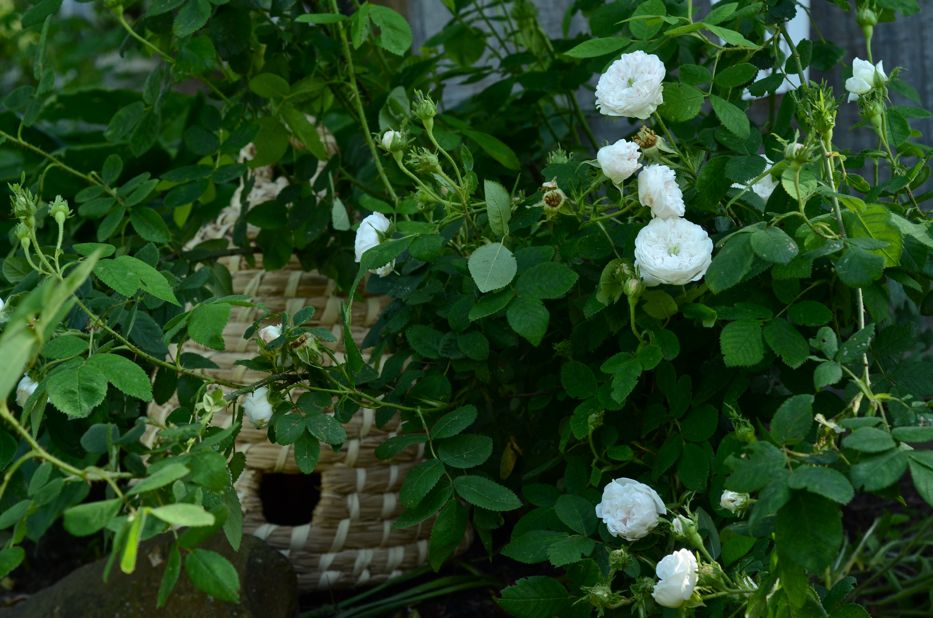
(349, 540)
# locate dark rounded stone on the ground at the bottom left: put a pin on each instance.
(268, 588)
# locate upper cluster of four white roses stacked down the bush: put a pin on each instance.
(669, 249)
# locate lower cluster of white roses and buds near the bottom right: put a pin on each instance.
(631, 510)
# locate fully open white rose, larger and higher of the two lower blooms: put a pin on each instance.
(630, 509)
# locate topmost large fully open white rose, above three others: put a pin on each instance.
(631, 86)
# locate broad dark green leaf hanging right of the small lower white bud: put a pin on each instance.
(808, 531)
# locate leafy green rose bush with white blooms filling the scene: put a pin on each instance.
(735, 334)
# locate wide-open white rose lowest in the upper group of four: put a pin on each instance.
(673, 251)
